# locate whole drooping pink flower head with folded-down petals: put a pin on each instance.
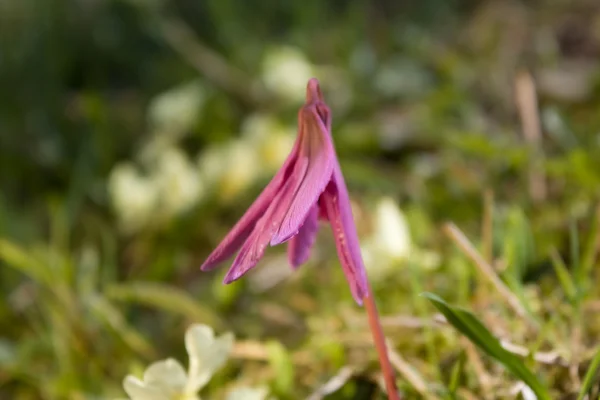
(308, 187)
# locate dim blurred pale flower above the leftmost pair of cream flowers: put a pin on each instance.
(176, 111)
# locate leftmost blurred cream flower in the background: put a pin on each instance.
(133, 196)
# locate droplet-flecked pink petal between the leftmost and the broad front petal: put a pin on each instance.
(254, 248)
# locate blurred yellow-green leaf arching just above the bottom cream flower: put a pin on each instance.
(165, 297)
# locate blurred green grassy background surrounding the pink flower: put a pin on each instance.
(134, 133)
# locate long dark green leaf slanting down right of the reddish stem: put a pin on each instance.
(467, 324)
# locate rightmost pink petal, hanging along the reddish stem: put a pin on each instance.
(336, 203)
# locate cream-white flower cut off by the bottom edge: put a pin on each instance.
(168, 380)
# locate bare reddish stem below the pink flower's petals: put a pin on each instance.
(379, 339)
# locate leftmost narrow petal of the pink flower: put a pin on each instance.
(243, 228)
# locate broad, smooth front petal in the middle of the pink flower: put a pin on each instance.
(314, 124)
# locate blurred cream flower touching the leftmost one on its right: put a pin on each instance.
(178, 181)
